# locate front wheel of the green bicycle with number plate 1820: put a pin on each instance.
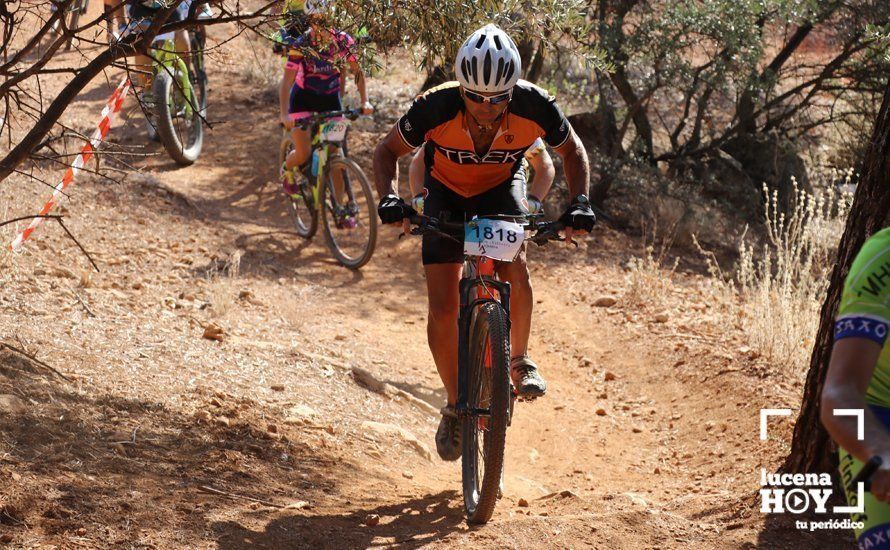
(350, 214)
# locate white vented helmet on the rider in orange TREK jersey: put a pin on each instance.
(488, 61)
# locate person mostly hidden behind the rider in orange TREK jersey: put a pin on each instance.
(536, 159)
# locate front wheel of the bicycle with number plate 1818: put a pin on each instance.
(484, 436)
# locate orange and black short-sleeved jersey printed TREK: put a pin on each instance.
(438, 119)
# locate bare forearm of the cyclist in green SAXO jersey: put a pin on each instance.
(845, 429)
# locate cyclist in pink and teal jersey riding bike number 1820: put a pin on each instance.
(313, 74)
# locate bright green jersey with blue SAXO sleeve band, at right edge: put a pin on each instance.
(865, 309)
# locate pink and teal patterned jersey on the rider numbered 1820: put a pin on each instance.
(317, 66)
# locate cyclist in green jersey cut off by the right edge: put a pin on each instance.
(859, 378)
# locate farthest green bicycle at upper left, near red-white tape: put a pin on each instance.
(180, 98)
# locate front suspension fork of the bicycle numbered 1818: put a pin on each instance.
(471, 291)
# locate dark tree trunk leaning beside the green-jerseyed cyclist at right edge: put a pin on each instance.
(810, 445)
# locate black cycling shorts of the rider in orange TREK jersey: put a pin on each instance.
(507, 199)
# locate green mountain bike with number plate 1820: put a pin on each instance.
(340, 195)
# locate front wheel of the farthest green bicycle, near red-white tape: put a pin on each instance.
(178, 119)
